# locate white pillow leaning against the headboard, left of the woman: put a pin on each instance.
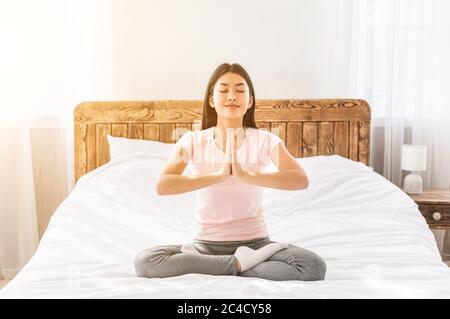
(122, 146)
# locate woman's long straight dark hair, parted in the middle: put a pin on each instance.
(209, 116)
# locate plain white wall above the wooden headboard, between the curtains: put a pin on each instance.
(168, 49)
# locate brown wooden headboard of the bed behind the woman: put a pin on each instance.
(308, 127)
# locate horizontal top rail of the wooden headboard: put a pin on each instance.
(187, 111)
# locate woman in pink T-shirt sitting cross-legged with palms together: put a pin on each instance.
(227, 157)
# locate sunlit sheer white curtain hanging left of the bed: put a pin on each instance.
(49, 63)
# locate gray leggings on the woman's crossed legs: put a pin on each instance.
(216, 258)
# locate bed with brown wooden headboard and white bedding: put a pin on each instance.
(372, 236)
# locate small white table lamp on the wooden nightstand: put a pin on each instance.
(414, 159)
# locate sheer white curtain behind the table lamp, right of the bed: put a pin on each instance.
(400, 63)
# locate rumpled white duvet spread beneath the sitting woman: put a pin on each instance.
(372, 236)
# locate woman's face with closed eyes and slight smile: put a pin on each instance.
(231, 96)
